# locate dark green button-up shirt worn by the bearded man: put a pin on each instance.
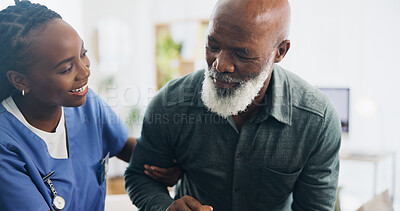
(284, 158)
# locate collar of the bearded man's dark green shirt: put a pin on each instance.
(277, 101)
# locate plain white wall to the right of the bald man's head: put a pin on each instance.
(352, 44)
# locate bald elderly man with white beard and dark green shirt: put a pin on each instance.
(248, 134)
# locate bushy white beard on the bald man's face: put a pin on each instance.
(238, 98)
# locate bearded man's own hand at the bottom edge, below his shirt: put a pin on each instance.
(188, 203)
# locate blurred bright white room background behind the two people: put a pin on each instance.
(346, 48)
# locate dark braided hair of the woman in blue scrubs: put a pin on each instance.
(16, 23)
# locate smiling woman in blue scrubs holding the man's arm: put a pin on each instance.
(56, 135)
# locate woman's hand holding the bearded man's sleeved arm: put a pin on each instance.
(168, 176)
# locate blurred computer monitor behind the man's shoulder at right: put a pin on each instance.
(340, 98)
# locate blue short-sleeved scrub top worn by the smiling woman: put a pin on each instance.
(93, 130)
